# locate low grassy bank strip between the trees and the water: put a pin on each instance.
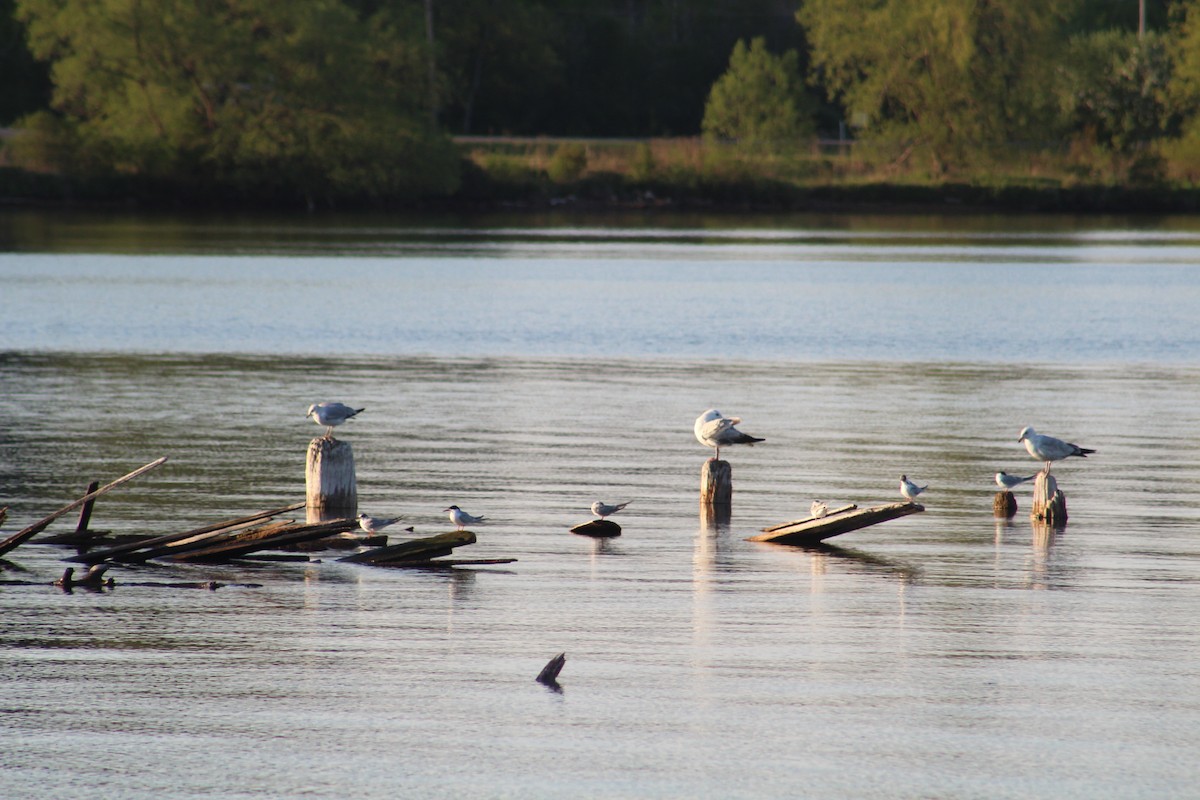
(676, 175)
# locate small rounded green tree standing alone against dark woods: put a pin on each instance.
(760, 99)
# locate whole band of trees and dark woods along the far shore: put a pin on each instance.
(362, 98)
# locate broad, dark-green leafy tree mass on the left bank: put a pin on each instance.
(262, 97)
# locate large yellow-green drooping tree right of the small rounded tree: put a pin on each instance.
(947, 76)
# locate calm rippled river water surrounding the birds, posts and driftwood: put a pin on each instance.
(524, 371)
